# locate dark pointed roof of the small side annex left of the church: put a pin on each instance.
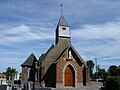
(29, 61)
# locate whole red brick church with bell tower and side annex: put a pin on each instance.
(61, 65)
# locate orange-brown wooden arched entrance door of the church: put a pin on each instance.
(69, 76)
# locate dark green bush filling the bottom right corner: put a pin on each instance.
(113, 83)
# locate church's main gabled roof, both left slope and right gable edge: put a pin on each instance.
(54, 55)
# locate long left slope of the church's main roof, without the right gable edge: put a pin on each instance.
(51, 56)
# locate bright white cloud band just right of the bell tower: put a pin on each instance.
(109, 30)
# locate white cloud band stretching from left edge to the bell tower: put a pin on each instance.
(24, 33)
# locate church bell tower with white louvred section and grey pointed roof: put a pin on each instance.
(62, 32)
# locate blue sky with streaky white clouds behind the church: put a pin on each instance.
(28, 26)
